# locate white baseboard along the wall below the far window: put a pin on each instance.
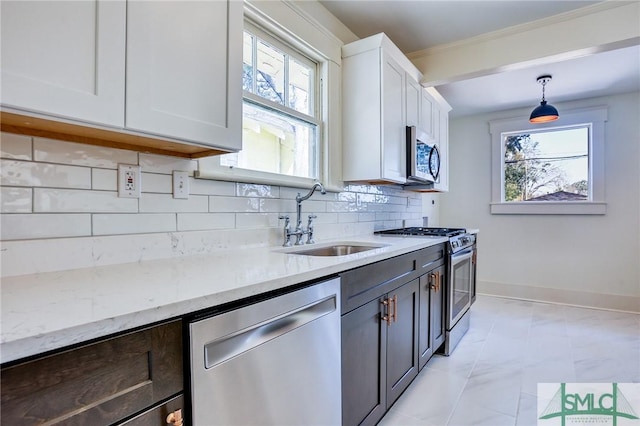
(566, 297)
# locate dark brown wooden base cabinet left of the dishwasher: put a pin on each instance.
(139, 373)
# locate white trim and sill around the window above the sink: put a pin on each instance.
(297, 29)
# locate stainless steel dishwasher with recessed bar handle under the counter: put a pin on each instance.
(274, 362)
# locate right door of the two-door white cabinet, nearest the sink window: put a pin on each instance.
(184, 70)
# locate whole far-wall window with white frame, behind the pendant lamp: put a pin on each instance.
(555, 168)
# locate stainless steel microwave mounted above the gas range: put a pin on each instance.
(423, 157)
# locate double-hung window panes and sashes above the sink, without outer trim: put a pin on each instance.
(280, 121)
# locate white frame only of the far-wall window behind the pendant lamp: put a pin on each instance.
(596, 118)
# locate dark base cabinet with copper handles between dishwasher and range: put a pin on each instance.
(387, 314)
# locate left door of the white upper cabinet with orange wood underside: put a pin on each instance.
(65, 58)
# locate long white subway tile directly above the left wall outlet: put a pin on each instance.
(54, 151)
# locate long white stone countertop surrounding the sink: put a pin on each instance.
(46, 311)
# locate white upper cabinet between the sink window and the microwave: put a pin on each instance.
(381, 97)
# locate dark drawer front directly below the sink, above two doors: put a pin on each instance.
(361, 285)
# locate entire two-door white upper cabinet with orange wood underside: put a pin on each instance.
(168, 71)
